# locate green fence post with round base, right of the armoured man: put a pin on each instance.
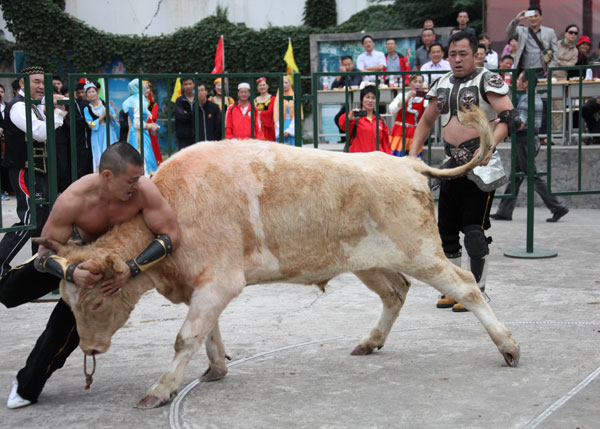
(530, 252)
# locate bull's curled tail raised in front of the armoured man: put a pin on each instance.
(473, 118)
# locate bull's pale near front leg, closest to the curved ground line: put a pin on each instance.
(206, 305)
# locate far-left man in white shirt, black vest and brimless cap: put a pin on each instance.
(15, 159)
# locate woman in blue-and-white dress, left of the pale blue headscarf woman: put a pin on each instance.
(95, 116)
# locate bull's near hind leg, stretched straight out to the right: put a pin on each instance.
(453, 281)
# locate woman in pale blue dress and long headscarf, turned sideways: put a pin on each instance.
(131, 106)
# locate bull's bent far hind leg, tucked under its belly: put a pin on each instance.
(392, 288)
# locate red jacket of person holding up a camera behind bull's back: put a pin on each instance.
(366, 134)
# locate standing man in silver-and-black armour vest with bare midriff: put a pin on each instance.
(464, 203)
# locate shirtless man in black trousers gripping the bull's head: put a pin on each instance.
(86, 210)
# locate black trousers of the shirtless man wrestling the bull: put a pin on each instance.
(23, 284)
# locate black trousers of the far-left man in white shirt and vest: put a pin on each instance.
(12, 242)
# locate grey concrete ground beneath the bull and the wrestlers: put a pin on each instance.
(291, 347)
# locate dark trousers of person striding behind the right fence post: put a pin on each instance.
(507, 205)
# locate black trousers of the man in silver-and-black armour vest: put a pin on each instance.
(461, 203)
